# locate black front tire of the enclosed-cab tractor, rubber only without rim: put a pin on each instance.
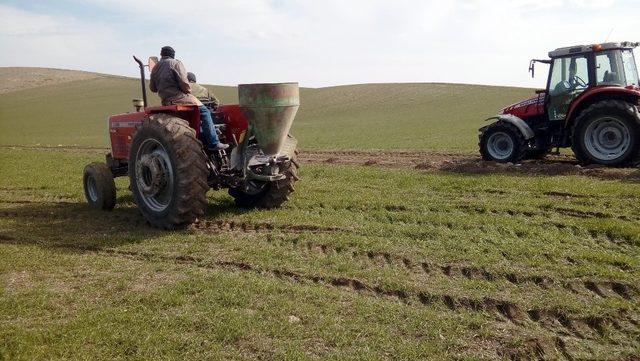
(519, 150)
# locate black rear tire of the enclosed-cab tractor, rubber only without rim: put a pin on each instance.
(624, 113)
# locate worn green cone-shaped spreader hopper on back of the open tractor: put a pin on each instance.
(270, 110)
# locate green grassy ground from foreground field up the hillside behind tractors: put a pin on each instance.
(364, 262)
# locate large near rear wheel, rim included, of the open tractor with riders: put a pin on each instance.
(168, 172)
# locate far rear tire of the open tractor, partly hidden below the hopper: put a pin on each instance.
(273, 195)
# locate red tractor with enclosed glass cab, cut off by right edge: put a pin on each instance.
(590, 104)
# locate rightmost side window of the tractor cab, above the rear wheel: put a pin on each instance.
(616, 67)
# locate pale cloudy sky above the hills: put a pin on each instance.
(318, 43)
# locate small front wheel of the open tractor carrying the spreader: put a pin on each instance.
(99, 187)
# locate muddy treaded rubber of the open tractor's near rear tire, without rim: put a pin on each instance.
(187, 200)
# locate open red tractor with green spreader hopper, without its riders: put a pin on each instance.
(161, 151)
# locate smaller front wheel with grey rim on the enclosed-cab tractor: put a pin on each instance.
(502, 142)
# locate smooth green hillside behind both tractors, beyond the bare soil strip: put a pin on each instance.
(440, 117)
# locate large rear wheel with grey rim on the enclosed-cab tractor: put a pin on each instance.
(607, 133)
